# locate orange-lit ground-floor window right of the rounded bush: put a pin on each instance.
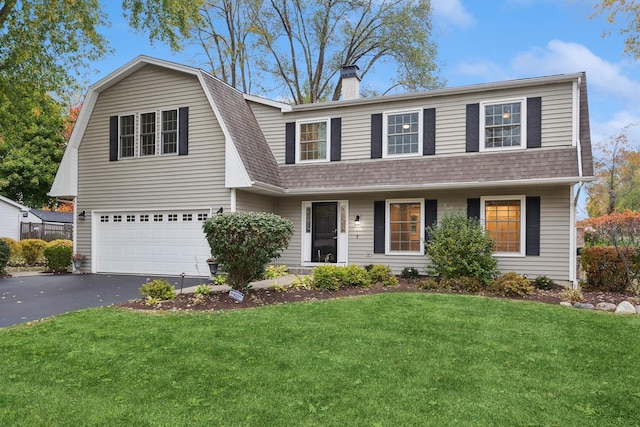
(503, 219)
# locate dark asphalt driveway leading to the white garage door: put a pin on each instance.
(26, 298)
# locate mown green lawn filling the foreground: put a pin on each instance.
(389, 360)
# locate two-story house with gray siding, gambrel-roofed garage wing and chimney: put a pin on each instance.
(159, 147)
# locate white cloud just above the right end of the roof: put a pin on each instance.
(562, 57)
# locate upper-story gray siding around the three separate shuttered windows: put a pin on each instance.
(557, 105)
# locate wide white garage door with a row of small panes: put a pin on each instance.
(159, 242)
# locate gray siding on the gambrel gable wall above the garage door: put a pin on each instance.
(193, 181)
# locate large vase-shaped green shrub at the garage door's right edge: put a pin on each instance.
(245, 243)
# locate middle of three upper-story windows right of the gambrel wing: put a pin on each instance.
(402, 133)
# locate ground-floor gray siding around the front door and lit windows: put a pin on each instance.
(554, 229)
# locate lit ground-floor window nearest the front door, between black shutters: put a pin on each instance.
(404, 226)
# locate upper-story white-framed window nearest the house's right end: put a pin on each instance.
(504, 125)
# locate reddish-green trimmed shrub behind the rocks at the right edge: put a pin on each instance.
(605, 268)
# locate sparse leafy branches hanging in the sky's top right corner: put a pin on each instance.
(627, 11)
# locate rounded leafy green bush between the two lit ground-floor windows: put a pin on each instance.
(460, 247)
